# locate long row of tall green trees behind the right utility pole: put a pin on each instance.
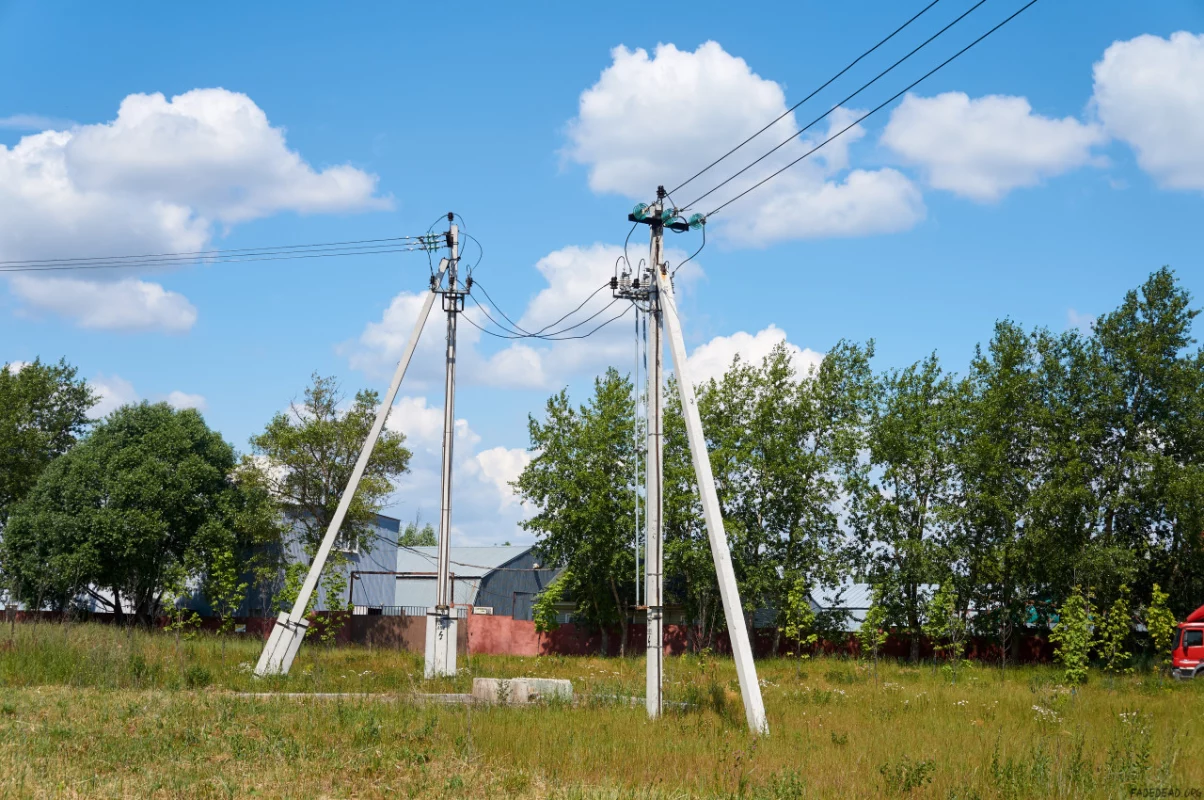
(1057, 466)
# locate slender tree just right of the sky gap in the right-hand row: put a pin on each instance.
(901, 517)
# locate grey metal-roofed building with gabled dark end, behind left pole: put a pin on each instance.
(503, 579)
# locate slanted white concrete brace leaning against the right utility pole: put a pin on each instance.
(742, 650)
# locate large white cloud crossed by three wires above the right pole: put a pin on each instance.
(698, 105)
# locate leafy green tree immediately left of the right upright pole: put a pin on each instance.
(579, 481)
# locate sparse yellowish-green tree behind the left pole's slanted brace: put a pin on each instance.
(306, 457)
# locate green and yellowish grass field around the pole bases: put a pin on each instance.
(95, 711)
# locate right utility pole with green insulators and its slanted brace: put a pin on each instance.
(657, 287)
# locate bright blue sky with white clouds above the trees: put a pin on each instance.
(919, 232)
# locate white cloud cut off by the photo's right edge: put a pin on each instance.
(1149, 92)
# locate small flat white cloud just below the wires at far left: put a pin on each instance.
(129, 305)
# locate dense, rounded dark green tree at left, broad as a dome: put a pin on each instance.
(133, 509)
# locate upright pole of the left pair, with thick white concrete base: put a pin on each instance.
(441, 625)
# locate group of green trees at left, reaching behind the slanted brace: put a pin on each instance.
(149, 509)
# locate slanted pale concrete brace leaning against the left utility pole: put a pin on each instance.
(291, 628)
